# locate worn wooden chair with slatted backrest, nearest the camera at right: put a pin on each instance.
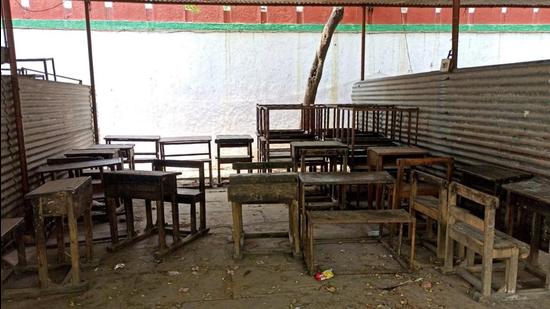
(479, 236)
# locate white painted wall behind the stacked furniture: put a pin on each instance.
(191, 83)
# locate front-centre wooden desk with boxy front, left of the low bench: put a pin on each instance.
(280, 188)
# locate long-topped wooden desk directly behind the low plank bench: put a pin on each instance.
(337, 179)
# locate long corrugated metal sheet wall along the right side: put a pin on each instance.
(496, 114)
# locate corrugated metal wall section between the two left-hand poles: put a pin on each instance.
(56, 117)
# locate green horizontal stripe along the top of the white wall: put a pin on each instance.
(119, 25)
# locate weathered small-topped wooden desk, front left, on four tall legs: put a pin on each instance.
(69, 198)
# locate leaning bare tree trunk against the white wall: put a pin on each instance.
(318, 62)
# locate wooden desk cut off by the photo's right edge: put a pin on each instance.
(534, 195)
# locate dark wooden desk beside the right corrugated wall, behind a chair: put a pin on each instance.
(380, 157)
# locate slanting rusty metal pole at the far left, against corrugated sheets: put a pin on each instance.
(17, 108)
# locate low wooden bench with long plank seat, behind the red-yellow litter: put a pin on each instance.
(390, 216)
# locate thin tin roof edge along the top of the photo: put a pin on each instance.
(395, 3)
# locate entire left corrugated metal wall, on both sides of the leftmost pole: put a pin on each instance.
(56, 117)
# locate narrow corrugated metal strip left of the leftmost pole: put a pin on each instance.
(11, 173)
